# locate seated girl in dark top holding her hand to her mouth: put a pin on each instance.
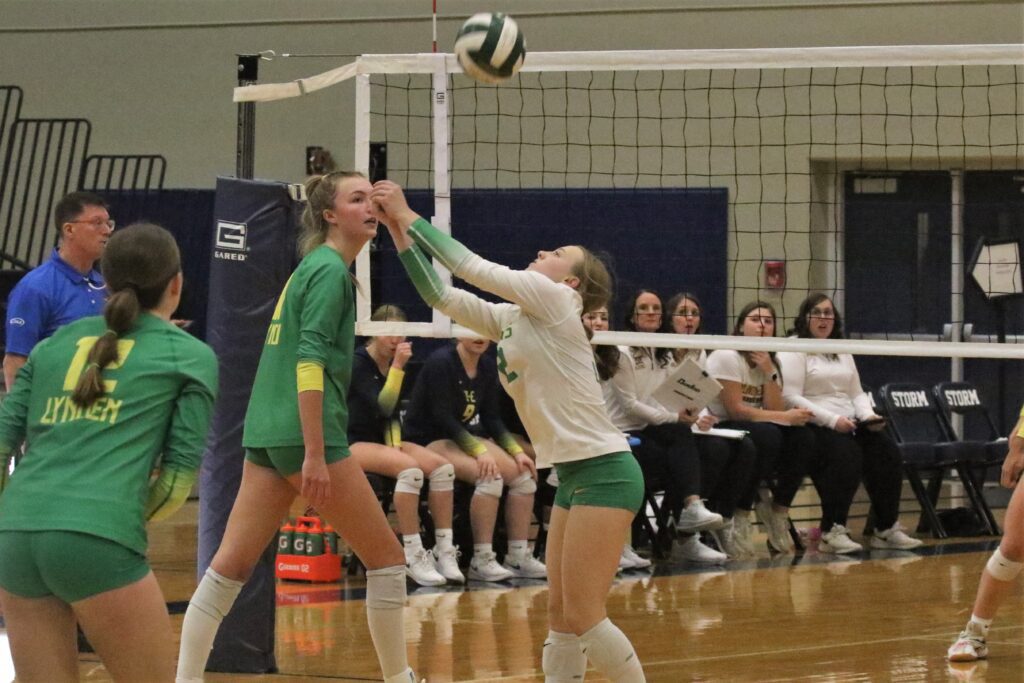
(375, 439)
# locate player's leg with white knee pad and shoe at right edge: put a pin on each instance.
(997, 582)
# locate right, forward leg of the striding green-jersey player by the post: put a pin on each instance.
(353, 509)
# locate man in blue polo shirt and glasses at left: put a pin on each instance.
(65, 288)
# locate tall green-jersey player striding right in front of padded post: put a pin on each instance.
(295, 436)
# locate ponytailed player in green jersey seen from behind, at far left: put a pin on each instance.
(98, 405)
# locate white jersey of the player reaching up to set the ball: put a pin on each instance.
(545, 361)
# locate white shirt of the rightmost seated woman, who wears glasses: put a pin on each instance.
(829, 388)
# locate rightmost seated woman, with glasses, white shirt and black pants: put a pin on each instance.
(850, 439)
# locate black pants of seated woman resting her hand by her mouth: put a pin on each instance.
(784, 457)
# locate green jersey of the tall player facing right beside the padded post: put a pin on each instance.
(314, 323)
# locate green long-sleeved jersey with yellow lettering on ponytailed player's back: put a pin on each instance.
(88, 469)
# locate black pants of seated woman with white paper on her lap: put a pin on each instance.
(727, 468)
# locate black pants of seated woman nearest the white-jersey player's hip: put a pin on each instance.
(669, 458)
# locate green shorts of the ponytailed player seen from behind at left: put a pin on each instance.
(70, 566)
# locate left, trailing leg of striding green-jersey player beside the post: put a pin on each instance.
(264, 500)
